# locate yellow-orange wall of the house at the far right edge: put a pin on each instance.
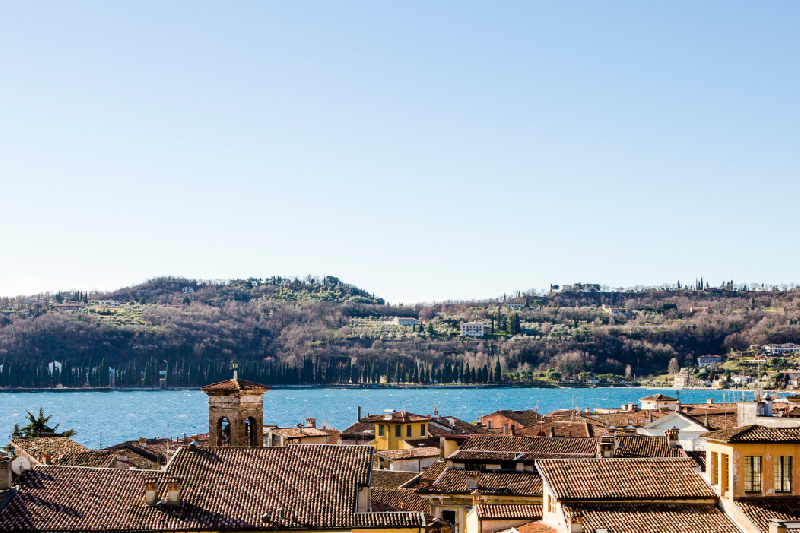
(736, 454)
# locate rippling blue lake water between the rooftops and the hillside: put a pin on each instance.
(106, 418)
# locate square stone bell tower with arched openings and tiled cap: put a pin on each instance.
(235, 413)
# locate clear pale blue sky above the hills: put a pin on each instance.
(421, 150)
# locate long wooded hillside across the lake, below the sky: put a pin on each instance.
(324, 331)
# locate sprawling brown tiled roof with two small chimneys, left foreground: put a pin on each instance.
(221, 489)
